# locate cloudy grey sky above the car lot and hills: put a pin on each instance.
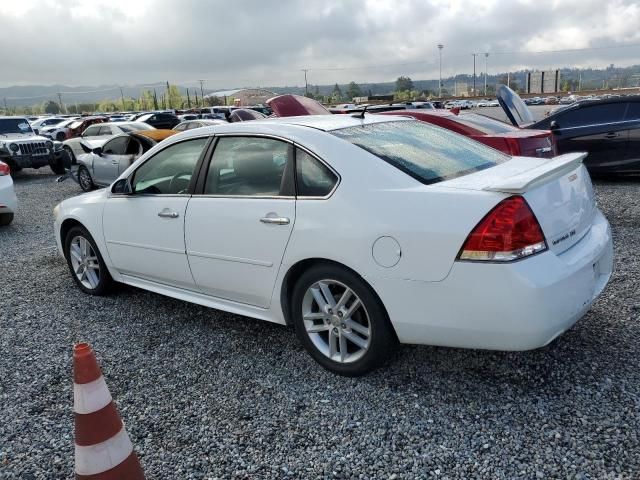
(234, 43)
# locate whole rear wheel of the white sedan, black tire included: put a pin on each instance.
(347, 333)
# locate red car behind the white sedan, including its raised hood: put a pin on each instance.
(494, 133)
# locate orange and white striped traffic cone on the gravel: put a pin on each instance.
(103, 448)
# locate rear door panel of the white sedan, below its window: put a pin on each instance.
(232, 253)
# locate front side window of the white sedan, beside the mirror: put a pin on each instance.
(169, 171)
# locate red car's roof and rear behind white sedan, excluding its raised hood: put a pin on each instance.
(494, 133)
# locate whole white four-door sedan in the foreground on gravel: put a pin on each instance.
(359, 232)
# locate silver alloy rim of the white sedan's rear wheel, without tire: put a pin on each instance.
(336, 321)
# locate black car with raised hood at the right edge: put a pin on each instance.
(608, 129)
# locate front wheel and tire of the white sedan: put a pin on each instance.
(85, 262)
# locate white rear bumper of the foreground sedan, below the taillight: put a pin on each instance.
(517, 306)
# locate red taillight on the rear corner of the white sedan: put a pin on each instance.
(508, 232)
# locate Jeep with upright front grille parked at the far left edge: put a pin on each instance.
(21, 148)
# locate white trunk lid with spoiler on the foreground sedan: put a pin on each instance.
(559, 191)
